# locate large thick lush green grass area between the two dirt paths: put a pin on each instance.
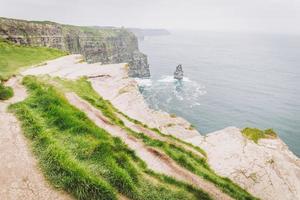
(83, 159)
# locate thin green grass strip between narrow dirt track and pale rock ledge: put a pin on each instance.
(174, 149)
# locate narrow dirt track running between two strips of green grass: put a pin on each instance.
(155, 160)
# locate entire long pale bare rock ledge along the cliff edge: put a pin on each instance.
(267, 169)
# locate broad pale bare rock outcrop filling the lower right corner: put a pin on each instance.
(267, 169)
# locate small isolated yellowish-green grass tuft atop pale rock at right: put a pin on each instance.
(255, 134)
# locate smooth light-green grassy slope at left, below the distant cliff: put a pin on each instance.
(13, 57)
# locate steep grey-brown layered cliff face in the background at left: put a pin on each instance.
(96, 44)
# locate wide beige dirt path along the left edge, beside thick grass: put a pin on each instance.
(20, 178)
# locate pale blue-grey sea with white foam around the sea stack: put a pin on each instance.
(231, 79)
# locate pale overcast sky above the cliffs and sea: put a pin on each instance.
(228, 15)
